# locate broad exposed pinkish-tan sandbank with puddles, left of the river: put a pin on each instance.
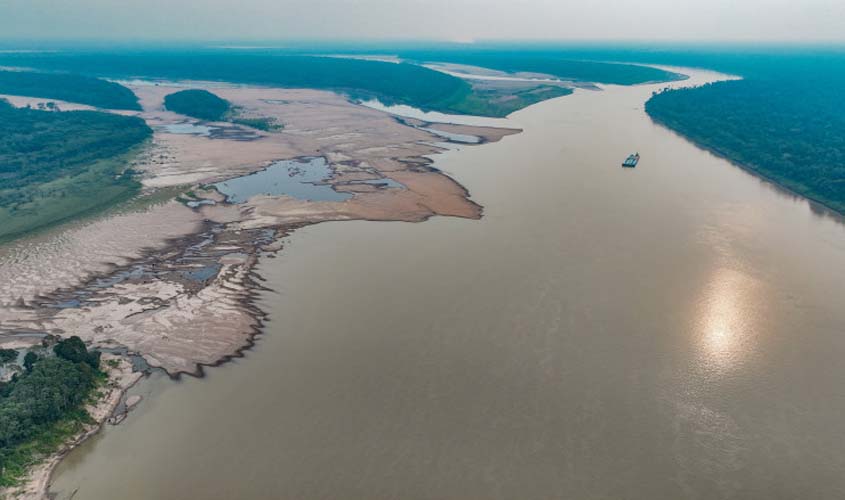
(175, 284)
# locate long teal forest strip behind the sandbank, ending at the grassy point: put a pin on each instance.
(393, 83)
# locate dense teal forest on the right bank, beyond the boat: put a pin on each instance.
(792, 132)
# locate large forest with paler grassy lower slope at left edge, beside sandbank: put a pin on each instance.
(54, 165)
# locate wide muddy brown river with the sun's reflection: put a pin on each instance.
(671, 331)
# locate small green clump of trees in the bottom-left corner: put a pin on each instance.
(44, 404)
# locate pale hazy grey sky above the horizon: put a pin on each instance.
(454, 20)
